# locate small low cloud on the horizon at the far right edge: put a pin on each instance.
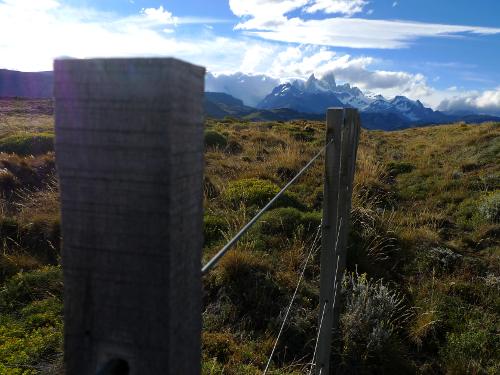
(483, 102)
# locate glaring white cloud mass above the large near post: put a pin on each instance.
(34, 32)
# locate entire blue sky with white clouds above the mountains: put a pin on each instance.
(443, 52)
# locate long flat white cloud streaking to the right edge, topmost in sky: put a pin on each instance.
(268, 19)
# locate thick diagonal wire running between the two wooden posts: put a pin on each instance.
(217, 257)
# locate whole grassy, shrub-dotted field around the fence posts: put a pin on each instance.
(422, 291)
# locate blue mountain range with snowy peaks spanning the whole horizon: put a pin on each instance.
(291, 100)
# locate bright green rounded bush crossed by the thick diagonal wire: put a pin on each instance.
(256, 192)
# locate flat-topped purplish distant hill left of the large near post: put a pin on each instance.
(27, 85)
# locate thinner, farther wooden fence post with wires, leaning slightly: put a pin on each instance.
(343, 127)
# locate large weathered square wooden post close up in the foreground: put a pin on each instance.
(129, 150)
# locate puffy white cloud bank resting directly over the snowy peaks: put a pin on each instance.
(279, 64)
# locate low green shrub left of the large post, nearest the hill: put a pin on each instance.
(28, 144)
